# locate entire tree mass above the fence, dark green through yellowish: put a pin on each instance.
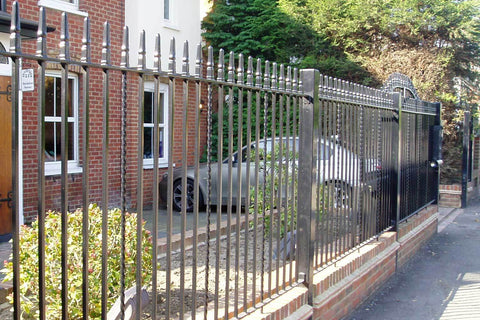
(431, 41)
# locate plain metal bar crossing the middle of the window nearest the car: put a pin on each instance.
(157, 104)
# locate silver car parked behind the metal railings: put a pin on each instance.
(338, 168)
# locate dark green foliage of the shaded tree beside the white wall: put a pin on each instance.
(262, 29)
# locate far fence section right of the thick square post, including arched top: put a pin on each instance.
(369, 160)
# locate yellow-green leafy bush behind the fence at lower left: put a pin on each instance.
(29, 262)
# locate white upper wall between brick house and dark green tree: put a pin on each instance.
(185, 25)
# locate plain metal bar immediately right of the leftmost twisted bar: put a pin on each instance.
(141, 65)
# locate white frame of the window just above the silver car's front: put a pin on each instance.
(163, 161)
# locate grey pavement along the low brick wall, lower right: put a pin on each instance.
(442, 281)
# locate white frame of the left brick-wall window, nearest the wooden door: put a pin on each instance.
(54, 167)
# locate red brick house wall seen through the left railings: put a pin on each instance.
(98, 12)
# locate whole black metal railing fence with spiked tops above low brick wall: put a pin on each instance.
(297, 170)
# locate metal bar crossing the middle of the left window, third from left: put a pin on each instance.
(64, 57)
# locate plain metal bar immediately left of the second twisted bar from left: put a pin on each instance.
(198, 89)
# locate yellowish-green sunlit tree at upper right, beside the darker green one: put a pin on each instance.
(431, 41)
